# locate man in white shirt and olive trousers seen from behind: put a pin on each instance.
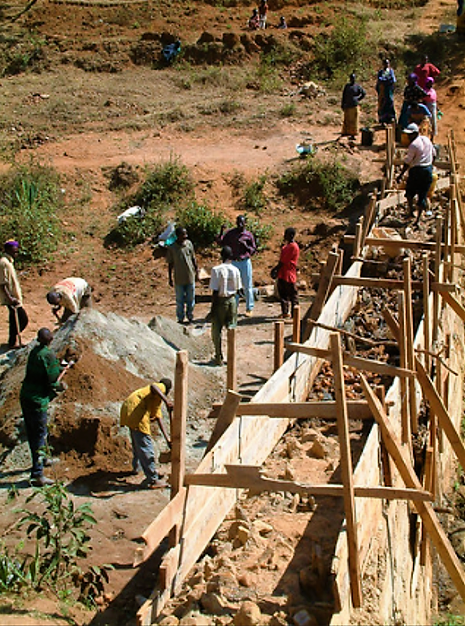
(225, 282)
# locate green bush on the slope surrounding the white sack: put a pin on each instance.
(165, 185)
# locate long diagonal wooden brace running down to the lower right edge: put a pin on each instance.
(424, 509)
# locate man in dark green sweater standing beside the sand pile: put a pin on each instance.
(40, 385)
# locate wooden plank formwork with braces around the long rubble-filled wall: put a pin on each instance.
(201, 501)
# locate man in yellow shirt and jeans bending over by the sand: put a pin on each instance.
(137, 412)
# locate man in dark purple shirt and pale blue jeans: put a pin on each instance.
(242, 244)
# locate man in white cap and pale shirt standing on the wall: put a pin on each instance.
(419, 163)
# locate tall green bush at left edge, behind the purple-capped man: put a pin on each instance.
(30, 200)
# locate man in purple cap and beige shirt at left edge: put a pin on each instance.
(10, 293)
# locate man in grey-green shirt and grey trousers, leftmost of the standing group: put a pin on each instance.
(181, 260)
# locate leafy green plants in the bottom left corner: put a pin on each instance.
(60, 539)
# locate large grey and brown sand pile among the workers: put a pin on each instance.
(116, 356)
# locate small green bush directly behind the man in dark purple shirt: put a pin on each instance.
(202, 224)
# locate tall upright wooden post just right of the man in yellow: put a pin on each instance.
(178, 433)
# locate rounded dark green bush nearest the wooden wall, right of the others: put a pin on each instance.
(330, 185)
